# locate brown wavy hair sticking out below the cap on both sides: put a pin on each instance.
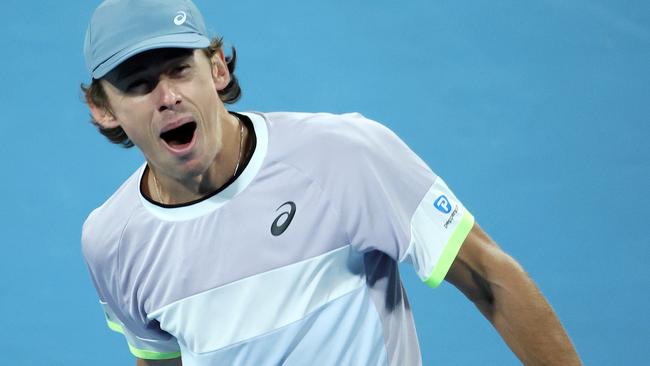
(95, 94)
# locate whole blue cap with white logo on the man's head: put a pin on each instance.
(120, 29)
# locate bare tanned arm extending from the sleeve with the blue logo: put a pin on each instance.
(508, 298)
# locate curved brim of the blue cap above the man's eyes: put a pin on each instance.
(181, 40)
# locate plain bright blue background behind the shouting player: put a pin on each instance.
(535, 113)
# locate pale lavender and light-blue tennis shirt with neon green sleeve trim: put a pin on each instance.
(294, 263)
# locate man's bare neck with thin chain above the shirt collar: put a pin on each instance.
(226, 164)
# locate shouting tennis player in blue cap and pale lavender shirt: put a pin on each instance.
(251, 238)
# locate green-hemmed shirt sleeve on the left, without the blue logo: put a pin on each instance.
(144, 337)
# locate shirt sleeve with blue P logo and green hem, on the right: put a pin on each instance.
(392, 201)
